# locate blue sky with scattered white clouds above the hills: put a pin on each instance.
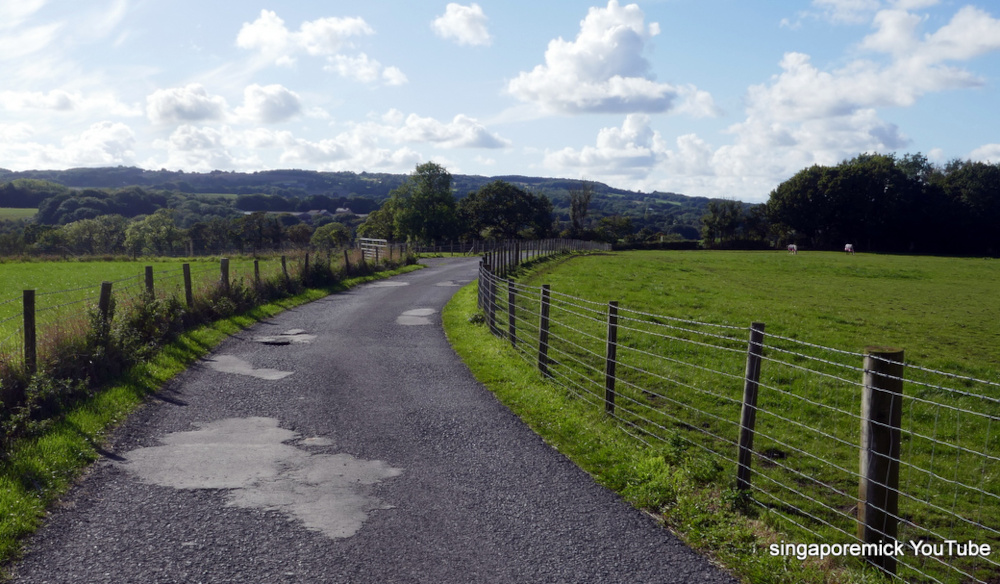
(702, 97)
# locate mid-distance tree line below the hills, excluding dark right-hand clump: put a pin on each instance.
(423, 208)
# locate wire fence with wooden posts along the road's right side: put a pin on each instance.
(815, 425)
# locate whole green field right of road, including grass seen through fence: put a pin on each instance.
(682, 381)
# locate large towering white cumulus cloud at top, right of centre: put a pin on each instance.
(603, 70)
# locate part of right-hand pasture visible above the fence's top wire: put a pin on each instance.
(943, 311)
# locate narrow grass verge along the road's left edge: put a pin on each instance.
(40, 469)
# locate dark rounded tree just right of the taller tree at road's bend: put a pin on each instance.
(500, 210)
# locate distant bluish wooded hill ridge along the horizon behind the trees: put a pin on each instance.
(657, 212)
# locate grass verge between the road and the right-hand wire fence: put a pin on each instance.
(682, 487)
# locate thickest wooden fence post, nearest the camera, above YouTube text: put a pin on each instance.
(881, 417)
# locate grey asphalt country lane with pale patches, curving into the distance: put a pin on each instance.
(344, 441)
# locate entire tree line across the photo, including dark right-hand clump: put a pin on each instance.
(878, 202)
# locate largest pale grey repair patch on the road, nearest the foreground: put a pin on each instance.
(252, 460)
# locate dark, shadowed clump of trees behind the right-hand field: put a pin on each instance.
(877, 202)
